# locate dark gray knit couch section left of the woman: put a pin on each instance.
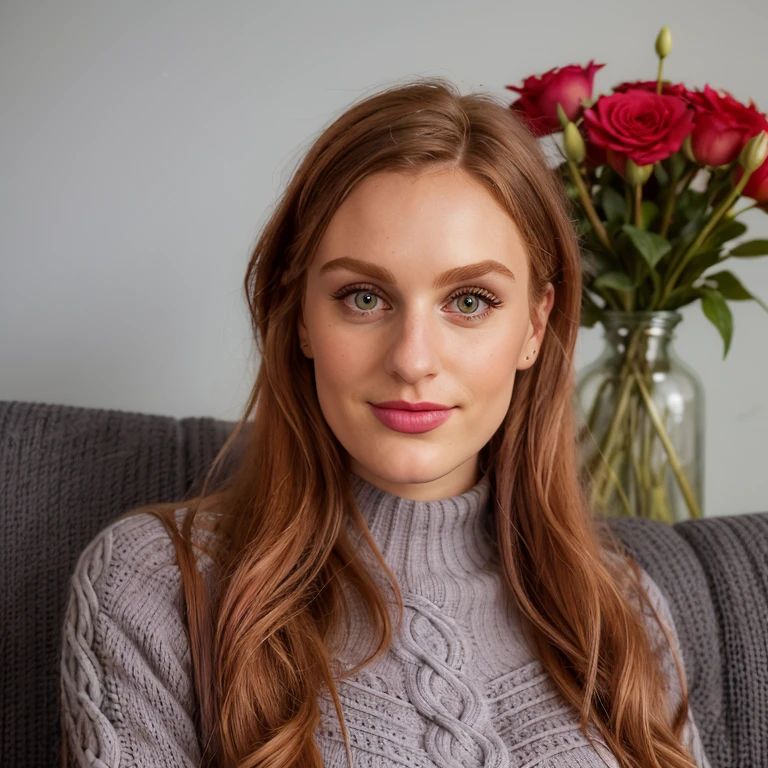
(65, 472)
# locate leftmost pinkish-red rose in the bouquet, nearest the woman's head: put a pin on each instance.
(540, 95)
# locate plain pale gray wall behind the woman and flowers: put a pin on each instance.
(143, 144)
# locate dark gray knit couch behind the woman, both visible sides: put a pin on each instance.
(65, 472)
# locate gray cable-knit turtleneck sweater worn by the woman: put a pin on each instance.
(459, 687)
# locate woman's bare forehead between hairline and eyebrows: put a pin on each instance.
(445, 217)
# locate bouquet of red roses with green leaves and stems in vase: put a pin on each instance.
(655, 172)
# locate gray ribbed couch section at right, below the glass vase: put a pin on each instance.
(714, 572)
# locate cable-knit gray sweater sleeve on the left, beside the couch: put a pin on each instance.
(126, 690)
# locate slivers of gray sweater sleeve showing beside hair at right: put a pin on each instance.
(690, 737)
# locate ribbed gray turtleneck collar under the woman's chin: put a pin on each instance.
(445, 536)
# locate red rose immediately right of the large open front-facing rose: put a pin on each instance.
(723, 126)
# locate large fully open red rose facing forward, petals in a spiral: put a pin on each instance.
(644, 126)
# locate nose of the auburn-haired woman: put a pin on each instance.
(414, 350)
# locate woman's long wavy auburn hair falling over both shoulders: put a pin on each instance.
(260, 640)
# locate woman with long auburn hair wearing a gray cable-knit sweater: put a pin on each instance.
(401, 568)
